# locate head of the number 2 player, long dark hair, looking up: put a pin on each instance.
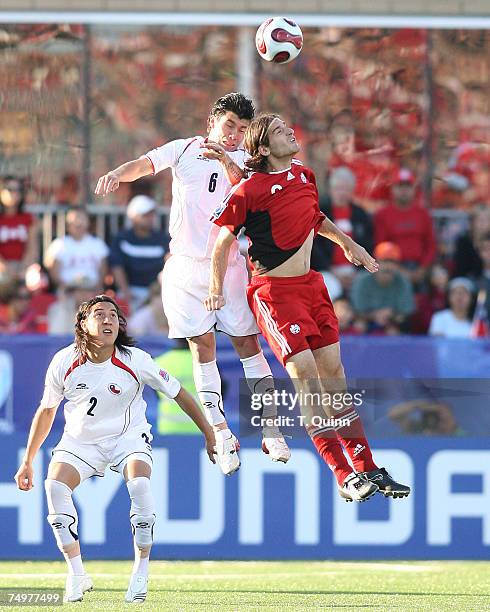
(100, 322)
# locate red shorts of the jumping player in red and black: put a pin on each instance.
(294, 313)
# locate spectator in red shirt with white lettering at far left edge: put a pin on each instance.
(18, 230)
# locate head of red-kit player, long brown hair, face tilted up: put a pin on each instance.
(268, 137)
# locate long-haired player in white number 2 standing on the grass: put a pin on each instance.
(102, 377)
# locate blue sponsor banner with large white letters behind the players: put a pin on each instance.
(268, 510)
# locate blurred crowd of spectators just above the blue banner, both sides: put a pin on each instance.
(419, 288)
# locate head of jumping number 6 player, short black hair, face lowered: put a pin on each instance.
(229, 118)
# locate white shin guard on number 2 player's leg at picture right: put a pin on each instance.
(142, 512)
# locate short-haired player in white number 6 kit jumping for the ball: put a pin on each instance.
(203, 171)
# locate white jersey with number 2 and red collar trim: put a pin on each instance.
(104, 400)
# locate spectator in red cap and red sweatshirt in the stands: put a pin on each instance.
(406, 223)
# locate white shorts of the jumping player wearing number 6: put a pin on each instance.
(186, 285)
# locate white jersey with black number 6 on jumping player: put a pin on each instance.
(199, 185)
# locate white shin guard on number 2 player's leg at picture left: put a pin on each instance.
(62, 516)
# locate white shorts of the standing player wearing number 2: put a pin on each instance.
(93, 459)
